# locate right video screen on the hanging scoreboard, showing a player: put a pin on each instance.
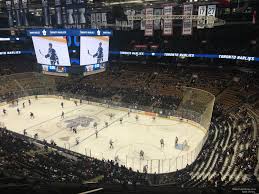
(94, 50)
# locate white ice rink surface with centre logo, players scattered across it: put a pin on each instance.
(129, 137)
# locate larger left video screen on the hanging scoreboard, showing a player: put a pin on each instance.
(51, 50)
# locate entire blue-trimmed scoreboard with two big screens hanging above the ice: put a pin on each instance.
(63, 51)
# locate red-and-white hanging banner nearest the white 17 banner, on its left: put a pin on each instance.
(187, 23)
